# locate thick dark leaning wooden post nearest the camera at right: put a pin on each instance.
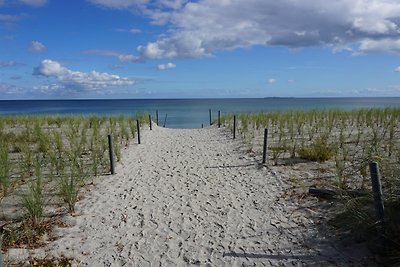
(378, 202)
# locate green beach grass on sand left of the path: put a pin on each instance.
(44, 157)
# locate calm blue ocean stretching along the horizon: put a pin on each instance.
(186, 113)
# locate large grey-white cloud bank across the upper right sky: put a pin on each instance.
(201, 28)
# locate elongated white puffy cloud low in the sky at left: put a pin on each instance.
(83, 80)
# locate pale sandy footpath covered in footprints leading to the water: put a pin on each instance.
(189, 197)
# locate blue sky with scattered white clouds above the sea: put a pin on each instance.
(52, 49)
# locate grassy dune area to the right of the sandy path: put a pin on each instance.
(337, 145)
